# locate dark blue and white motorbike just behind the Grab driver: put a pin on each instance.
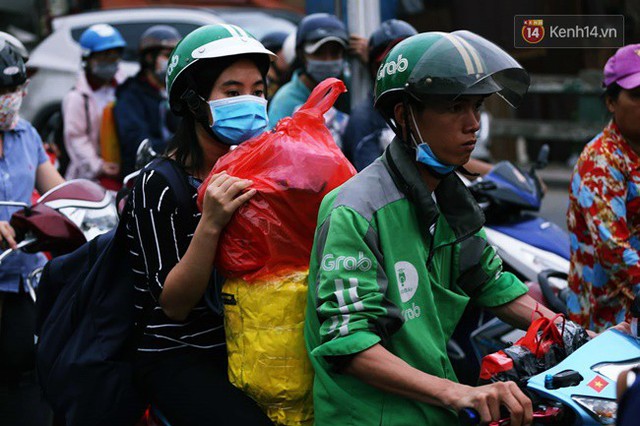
(534, 249)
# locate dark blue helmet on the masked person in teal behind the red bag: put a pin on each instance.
(319, 28)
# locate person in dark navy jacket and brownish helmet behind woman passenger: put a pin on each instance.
(141, 109)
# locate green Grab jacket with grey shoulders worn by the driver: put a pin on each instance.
(389, 265)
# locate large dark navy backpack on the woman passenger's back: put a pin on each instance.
(85, 326)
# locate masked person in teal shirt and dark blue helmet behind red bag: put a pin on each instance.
(321, 42)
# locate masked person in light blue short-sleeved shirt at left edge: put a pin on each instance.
(23, 167)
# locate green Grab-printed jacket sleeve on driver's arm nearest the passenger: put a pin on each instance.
(350, 285)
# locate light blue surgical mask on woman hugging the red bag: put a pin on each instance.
(239, 118)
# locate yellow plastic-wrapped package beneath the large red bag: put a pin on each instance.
(264, 323)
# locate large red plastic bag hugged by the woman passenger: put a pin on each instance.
(292, 168)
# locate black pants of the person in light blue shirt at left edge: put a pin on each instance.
(21, 401)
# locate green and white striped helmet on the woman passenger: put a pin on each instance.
(209, 42)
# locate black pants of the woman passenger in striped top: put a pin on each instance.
(191, 387)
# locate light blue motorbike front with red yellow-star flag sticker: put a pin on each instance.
(581, 389)
